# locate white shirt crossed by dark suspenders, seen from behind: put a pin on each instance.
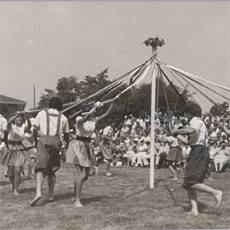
(41, 122)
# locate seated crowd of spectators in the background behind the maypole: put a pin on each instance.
(131, 141)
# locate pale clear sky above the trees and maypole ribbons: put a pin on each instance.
(42, 41)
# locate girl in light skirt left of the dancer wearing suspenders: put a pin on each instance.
(18, 154)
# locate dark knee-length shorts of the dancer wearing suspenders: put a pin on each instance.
(48, 157)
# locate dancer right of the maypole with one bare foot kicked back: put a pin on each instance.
(198, 160)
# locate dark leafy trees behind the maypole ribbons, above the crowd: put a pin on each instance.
(136, 101)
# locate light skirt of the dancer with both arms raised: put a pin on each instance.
(80, 153)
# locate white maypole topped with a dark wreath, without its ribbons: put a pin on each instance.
(154, 43)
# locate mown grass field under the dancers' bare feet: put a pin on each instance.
(123, 201)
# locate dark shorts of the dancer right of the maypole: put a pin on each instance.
(197, 166)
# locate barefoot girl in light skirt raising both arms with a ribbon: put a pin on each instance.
(80, 150)
